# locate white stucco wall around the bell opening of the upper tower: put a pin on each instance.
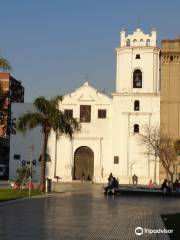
(127, 63)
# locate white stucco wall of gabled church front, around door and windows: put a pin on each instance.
(96, 135)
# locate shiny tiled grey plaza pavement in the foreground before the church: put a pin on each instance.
(82, 212)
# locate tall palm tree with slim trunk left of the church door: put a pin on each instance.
(48, 117)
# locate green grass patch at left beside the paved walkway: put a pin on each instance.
(12, 194)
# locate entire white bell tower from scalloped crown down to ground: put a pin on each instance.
(136, 103)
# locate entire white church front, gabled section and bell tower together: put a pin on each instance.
(108, 140)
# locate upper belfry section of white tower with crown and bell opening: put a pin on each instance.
(137, 63)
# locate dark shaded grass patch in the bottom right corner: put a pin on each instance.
(171, 221)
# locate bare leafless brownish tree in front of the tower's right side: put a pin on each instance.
(161, 146)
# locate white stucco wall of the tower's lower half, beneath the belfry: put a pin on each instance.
(126, 144)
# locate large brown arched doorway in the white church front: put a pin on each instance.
(83, 163)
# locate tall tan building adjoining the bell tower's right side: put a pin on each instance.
(170, 89)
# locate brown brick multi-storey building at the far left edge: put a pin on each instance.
(15, 93)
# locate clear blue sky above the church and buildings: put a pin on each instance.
(54, 46)
